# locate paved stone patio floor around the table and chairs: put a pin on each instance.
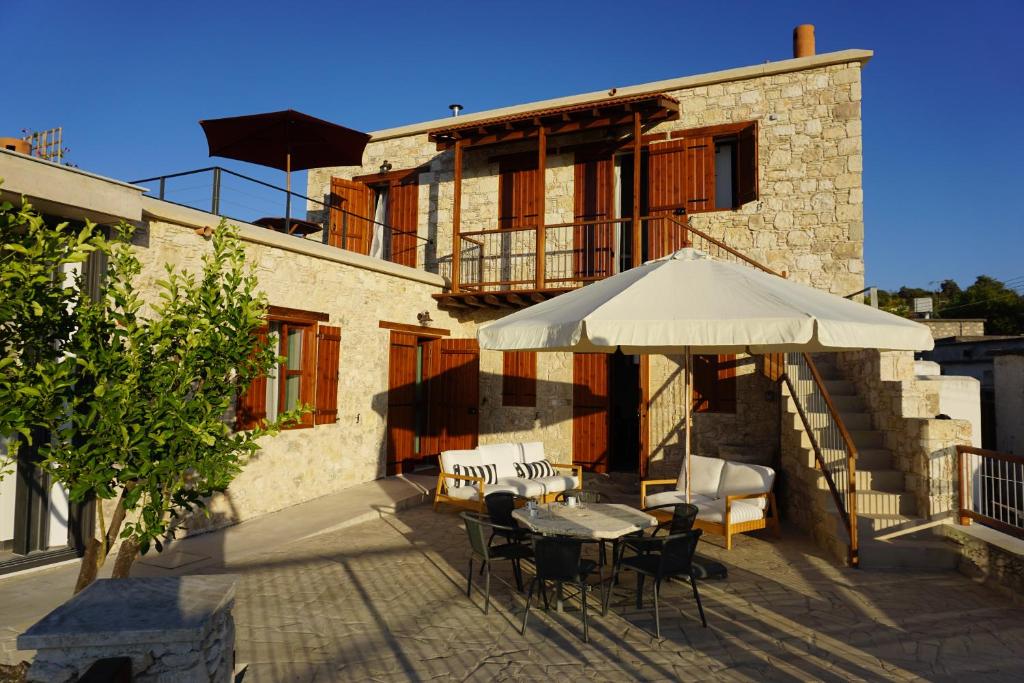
(385, 602)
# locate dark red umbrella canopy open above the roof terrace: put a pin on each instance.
(287, 141)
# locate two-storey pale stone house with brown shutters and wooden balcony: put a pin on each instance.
(455, 223)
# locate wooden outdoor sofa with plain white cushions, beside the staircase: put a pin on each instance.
(732, 498)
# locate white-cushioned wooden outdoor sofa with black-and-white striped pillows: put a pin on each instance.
(467, 477)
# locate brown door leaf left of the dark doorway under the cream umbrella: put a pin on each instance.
(590, 411)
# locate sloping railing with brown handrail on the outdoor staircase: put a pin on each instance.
(834, 449)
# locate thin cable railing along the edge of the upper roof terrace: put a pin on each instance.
(242, 198)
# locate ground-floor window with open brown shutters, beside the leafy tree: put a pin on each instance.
(308, 374)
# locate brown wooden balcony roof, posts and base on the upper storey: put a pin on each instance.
(632, 113)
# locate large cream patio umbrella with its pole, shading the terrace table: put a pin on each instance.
(690, 304)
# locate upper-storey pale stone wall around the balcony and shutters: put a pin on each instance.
(808, 220)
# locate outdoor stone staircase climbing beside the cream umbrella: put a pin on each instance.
(891, 534)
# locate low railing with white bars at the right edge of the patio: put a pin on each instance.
(992, 489)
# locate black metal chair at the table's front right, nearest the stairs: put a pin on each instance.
(665, 558)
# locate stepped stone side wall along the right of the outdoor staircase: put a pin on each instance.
(905, 409)
